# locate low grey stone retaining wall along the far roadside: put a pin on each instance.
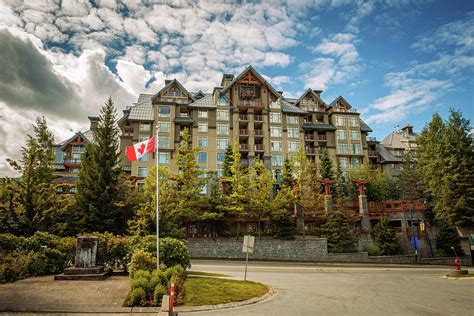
(308, 249)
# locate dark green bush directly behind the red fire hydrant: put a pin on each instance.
(446, 238)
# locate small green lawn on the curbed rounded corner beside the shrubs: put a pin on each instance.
(210, 291)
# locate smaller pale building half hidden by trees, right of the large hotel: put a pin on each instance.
(391, 150)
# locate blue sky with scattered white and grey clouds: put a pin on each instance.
(395, 61)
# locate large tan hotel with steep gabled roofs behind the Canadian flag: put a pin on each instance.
(245, 109)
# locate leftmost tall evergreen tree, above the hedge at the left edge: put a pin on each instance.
(33, 197)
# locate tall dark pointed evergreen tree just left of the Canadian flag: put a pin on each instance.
(98, 187)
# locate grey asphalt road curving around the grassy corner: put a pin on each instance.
(313, 289)
